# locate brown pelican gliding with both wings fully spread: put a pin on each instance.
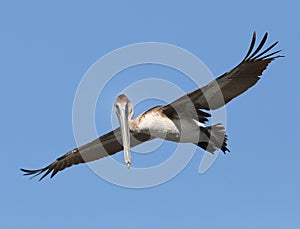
(181, 121)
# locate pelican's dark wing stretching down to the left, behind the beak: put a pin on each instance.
(104, 146)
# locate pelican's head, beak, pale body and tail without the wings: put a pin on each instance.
(156, 123)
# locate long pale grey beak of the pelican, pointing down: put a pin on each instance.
(123, 120)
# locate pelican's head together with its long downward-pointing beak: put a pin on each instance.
(124, 111)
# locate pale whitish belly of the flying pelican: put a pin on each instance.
(163, 127)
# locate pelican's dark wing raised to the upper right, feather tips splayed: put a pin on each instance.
(229, 85)
